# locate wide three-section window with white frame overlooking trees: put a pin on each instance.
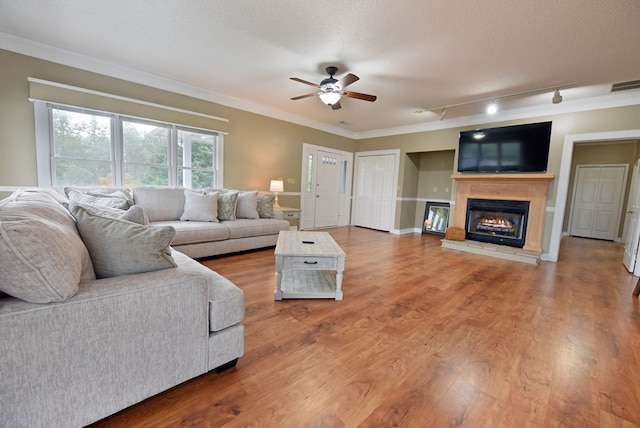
(92, 148)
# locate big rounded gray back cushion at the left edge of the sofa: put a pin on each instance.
(42, 258)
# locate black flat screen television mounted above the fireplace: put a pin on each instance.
(519, 148)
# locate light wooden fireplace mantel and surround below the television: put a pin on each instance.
(515, 187)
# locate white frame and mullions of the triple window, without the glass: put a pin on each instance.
(45, 150)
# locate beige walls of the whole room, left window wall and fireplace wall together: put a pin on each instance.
(259, 148)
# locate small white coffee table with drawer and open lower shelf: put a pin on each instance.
(305, 262)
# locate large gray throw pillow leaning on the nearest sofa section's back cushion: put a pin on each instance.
(120, 247)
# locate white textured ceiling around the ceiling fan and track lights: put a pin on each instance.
(414, 55)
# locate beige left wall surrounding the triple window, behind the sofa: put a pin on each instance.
(257, 148)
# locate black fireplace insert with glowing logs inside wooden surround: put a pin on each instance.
(497, 221)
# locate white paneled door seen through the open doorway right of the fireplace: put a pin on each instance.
(597, 201)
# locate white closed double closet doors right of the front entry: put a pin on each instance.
(374, 199)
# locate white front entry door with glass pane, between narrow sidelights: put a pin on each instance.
(327, 206)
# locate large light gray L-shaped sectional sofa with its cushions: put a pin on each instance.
(97, 310)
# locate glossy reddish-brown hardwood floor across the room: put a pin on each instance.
(425, 337)
